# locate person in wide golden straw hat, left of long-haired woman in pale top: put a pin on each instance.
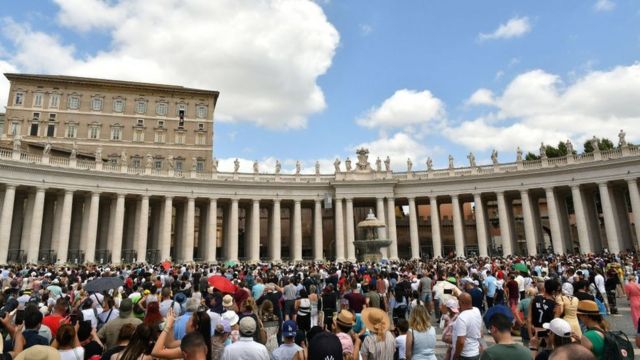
(380, 344)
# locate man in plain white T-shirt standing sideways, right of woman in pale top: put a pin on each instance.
(467, 330)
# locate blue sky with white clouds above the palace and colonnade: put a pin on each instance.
(315, 80)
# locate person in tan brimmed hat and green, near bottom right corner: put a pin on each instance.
(593, 338)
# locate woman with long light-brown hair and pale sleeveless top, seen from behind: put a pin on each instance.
(421, 337)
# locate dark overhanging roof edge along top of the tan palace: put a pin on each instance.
(108, 82)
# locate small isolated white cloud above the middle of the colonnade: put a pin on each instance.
(405, 108)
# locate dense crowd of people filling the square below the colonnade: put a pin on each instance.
(551, 307)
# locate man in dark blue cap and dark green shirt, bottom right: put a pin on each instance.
(505, 347)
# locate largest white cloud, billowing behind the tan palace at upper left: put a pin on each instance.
(264, 58)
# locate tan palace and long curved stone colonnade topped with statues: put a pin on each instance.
(151, 191)
